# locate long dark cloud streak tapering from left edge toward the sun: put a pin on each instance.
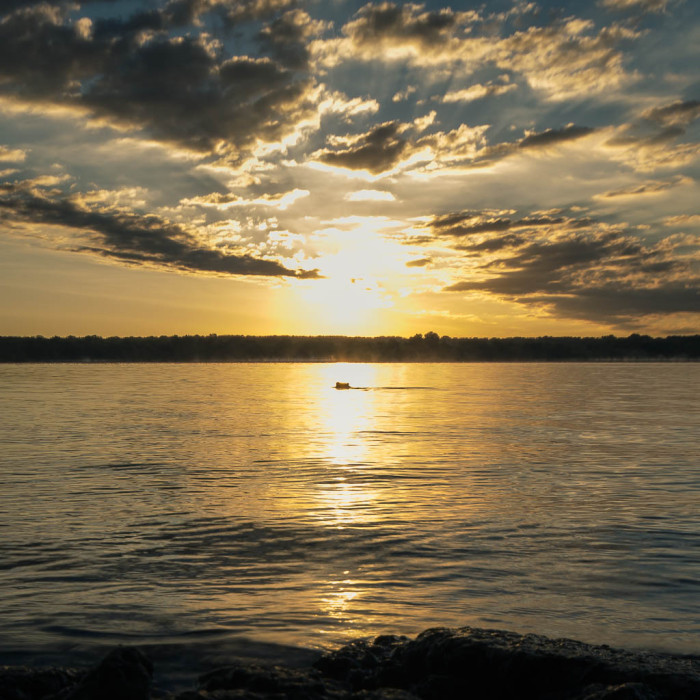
(131, 237)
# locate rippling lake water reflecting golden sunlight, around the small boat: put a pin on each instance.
(253, 507)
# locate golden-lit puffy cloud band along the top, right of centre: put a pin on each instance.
(561, 60)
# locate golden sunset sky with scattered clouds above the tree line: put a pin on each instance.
(304, 167)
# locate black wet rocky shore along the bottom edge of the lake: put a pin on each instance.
(438, 664)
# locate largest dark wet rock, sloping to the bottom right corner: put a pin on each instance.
(446, 663)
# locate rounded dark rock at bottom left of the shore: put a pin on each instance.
(123, 674)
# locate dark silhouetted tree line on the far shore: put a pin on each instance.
(419, 348)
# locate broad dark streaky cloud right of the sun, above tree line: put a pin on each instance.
(597, 273)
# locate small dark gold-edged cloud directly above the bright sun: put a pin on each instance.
(378, 150)
